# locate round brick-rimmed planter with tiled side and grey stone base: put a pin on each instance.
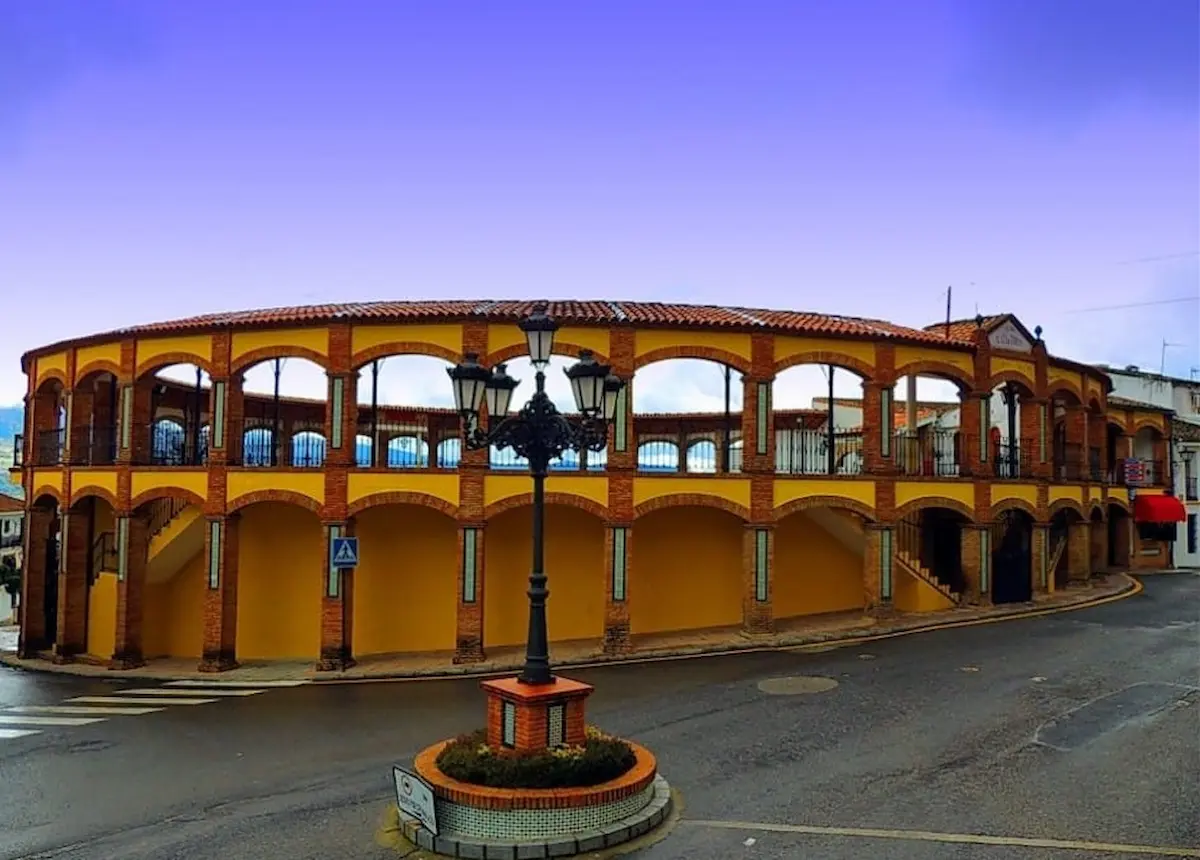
(485, 822)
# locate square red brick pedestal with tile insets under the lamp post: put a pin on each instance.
(529, 718)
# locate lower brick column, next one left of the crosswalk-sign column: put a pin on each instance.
(221, 540)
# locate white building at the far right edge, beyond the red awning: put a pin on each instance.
(1183, 396)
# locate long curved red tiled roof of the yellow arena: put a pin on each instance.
(573, 312)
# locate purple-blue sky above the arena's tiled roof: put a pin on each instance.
(163, 160)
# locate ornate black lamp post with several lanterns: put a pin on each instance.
(539, 434)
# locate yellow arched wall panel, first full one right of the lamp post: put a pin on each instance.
(686, 572)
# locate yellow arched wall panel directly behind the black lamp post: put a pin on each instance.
(574, 567)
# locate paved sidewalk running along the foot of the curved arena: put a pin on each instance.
(825, 630)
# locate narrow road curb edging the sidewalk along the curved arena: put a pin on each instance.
(1130, 588)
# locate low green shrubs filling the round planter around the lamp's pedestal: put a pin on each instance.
(469, 759)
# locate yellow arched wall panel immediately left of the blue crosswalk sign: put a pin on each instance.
(280, 584)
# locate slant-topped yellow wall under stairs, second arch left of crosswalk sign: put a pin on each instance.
(173, 614)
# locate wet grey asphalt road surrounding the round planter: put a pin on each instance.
(1081, 729)
